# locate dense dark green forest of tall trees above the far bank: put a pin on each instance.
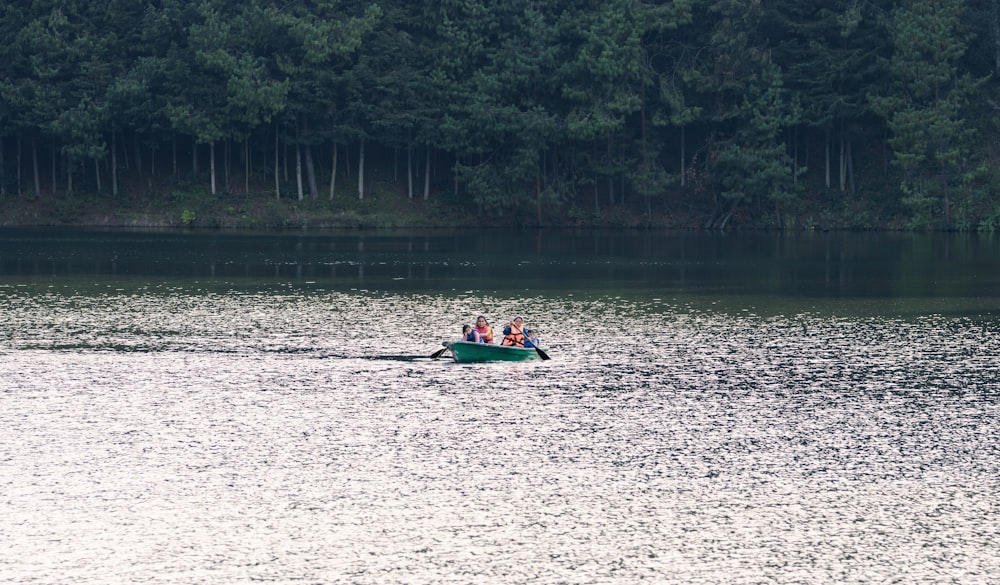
(725, 113)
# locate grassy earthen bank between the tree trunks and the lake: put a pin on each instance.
(261, 211)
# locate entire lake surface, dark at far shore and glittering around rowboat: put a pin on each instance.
(234, 408)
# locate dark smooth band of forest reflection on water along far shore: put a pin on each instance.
(820, 265)
